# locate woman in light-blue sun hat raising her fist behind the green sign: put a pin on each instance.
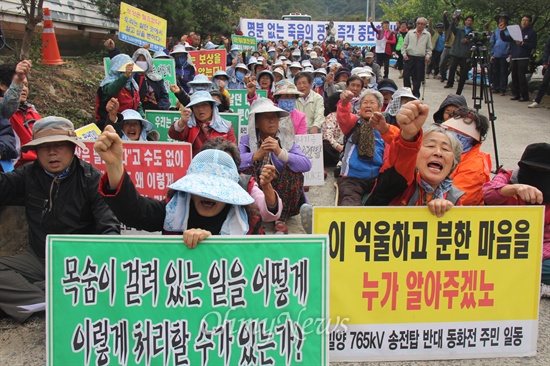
(208, 199)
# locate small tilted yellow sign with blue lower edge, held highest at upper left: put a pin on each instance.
(139, 28)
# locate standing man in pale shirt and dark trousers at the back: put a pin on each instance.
(417, 51)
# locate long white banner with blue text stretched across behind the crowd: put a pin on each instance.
(354, 33)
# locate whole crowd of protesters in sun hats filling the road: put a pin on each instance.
(378, 138)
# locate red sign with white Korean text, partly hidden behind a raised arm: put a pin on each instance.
(151, 166)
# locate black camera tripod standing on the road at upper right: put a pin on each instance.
(482, 89)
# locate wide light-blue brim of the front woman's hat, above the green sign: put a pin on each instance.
(200, 184)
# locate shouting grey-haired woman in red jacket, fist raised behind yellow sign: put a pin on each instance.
(418, 163)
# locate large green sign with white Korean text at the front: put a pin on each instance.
(146, 300)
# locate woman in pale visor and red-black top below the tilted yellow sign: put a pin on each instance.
(120, 84)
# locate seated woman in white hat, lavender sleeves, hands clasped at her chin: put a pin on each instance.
(270, 141)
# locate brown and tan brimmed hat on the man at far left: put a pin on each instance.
(52, 129)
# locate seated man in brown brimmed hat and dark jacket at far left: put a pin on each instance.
(60, 195)
